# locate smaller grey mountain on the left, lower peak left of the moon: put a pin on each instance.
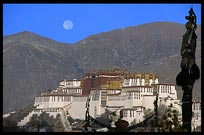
(32, 64)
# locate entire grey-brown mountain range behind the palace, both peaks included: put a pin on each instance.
(33, 64)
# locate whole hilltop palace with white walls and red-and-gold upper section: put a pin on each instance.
(130, 95)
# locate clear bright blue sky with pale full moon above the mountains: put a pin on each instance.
(83, 20)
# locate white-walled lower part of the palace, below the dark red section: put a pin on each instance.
(132, 100)
